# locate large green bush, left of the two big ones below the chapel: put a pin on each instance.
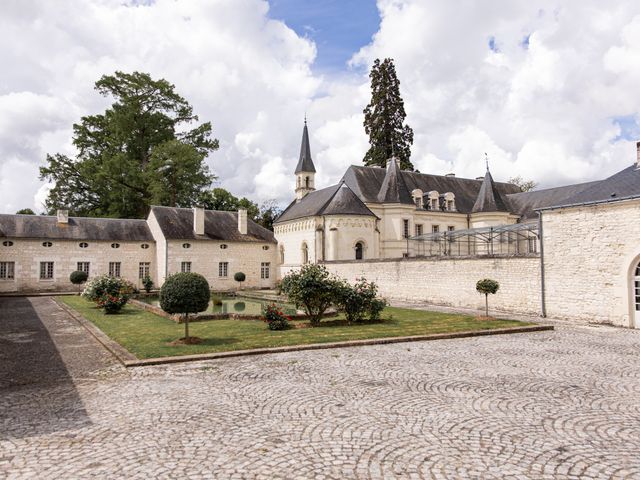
(311, 289)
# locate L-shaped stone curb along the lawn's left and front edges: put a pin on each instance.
(129, 360)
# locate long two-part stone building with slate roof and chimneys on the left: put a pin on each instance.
(38, 253)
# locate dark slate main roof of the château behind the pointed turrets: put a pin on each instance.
(366, 183)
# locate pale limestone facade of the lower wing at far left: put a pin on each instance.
(28, 253)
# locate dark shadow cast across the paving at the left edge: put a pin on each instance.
(37, 393)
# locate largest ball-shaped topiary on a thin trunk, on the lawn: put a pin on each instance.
(185, 293)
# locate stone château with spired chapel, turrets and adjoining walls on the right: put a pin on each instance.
(567, 252)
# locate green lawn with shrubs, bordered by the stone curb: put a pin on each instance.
(147, 335)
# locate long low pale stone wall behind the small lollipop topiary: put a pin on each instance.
(452, 281)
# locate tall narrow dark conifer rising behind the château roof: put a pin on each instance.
(384, 118)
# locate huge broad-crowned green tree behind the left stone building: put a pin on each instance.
(139, 152)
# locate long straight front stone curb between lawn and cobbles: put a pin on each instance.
(322, 346)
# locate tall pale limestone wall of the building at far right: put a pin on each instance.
(589, 255)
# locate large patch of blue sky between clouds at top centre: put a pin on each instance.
(338, 27)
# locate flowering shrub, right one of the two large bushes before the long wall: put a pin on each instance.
(359, 300)
